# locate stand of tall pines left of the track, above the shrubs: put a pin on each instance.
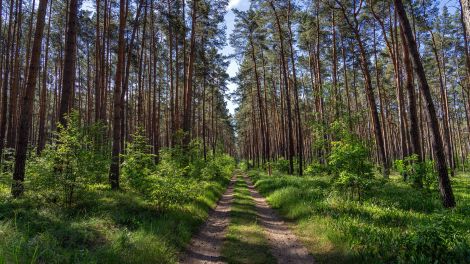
(118, 78)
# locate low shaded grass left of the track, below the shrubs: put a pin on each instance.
(104, 227)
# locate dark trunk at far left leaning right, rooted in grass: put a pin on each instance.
(17, 187)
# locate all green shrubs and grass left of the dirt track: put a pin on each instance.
(69, 214)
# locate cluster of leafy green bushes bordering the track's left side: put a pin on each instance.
(179, 175)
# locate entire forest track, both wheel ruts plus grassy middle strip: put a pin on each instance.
(253, 232)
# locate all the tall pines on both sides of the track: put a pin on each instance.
(305, 67)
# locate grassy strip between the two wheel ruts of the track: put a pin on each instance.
(245, 241)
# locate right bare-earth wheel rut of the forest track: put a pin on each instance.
(284, 244)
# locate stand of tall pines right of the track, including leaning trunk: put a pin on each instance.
(342, 56)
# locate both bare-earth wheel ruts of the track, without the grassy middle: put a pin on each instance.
(205, 247)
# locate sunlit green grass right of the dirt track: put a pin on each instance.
(394, 224)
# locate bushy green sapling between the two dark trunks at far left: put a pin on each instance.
(68, 166)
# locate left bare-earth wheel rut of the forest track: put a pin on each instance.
(206, 245)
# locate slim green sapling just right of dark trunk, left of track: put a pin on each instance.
(138, 162)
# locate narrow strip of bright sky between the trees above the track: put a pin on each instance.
(229, 22)
